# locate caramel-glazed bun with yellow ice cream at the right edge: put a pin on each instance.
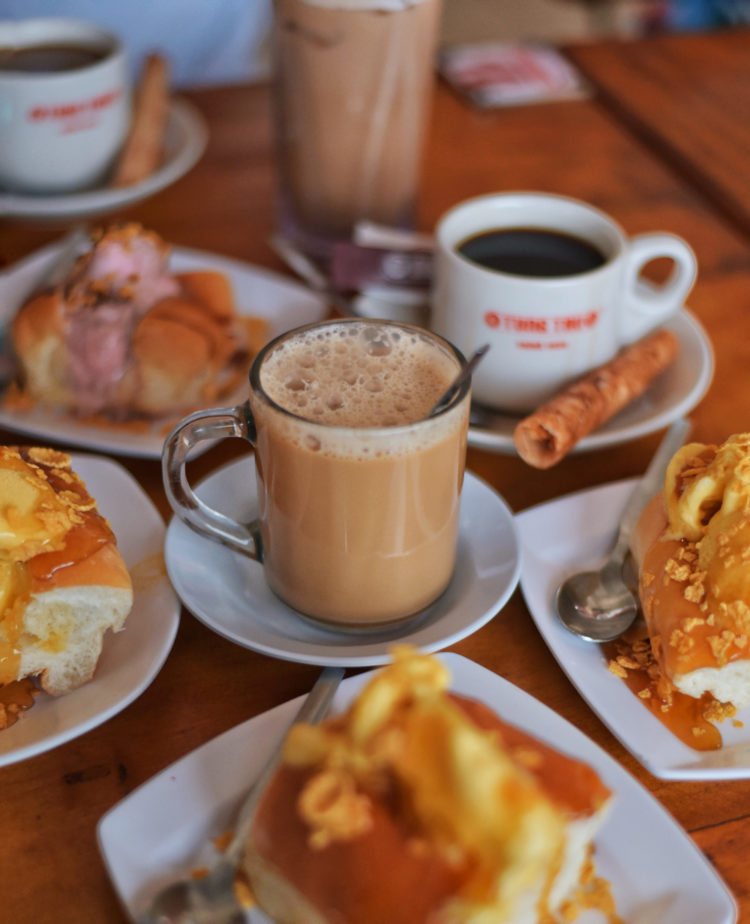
(692, 549)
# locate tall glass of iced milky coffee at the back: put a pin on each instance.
(354, 83)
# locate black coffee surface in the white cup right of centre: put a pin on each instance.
(531, 252)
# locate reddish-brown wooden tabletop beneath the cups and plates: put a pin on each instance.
(50, 868)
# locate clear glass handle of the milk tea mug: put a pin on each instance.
(213, 424)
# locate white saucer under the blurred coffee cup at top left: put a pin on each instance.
(184, 142)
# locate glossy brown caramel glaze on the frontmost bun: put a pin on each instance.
(380, 876)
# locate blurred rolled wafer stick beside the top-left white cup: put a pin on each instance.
(142, 151)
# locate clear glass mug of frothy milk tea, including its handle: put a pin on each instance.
(358, 487)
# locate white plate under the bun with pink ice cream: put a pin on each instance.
(257, 291)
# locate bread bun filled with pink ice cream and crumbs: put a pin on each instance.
(122, 337)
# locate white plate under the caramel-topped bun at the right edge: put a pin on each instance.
(574, 533)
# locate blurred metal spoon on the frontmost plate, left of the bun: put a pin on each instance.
(212, 899)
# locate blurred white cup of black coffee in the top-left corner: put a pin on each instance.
(60, 129)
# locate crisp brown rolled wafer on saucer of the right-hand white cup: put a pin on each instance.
(550, 432)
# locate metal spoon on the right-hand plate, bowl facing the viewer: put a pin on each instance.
(598, 605)
